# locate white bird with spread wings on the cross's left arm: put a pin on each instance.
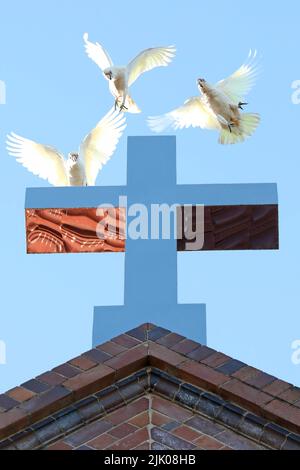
(80, 169)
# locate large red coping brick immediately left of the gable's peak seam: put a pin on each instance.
(129, 361)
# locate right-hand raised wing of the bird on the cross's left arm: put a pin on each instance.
(100, 144)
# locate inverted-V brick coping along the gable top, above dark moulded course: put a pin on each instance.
(150, 345)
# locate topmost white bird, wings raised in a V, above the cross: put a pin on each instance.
(122, 77)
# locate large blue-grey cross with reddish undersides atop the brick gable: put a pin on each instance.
(236, 217)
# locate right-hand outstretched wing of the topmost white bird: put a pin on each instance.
(148, 60)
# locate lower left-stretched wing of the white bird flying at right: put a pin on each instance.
(193, 113)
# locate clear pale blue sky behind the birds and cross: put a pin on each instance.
(55, 94)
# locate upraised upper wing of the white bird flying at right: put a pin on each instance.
(238, 85)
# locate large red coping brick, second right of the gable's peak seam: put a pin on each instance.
(201, 375)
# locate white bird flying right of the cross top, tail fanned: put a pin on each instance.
(219, 107)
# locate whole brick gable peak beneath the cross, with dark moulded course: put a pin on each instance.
(170, 404)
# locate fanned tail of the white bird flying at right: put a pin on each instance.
(248, 124)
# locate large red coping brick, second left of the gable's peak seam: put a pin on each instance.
(90, 381)
